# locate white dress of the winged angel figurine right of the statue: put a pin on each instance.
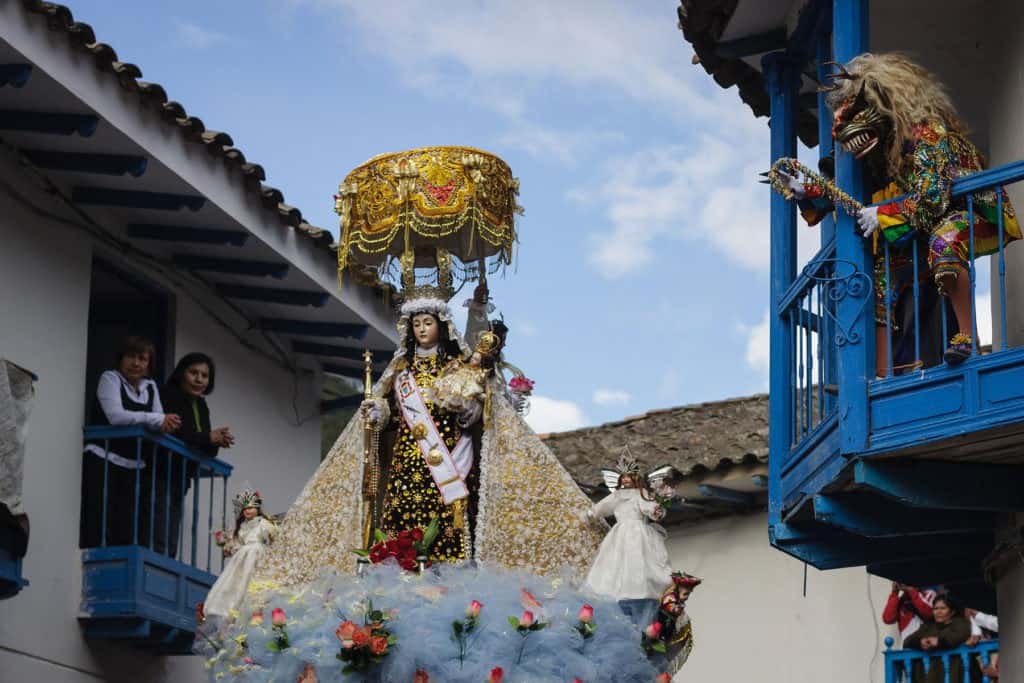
(632, 563)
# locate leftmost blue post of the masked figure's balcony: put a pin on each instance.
(783, 75)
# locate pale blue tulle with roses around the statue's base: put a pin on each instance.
(423, 609)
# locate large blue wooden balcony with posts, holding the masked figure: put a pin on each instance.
(905, 473)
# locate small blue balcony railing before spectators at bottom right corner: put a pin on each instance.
(913, 666)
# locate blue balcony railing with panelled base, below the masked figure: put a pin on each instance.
(919, 398)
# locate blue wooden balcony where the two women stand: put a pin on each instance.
(142, 583)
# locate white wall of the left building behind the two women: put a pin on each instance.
(45, 295)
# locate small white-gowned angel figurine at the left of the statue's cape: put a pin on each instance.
(253, 533)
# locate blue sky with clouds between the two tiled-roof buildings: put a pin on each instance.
(643, 275)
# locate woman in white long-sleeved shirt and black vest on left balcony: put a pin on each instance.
(124, 397)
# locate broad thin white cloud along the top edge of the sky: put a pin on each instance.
(504, 48)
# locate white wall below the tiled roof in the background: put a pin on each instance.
(752, 623)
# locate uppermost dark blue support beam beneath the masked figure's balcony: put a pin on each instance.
(946, 486)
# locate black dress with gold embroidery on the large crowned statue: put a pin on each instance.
(412, 499)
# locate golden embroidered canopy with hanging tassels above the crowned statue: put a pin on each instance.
(412, 206)
